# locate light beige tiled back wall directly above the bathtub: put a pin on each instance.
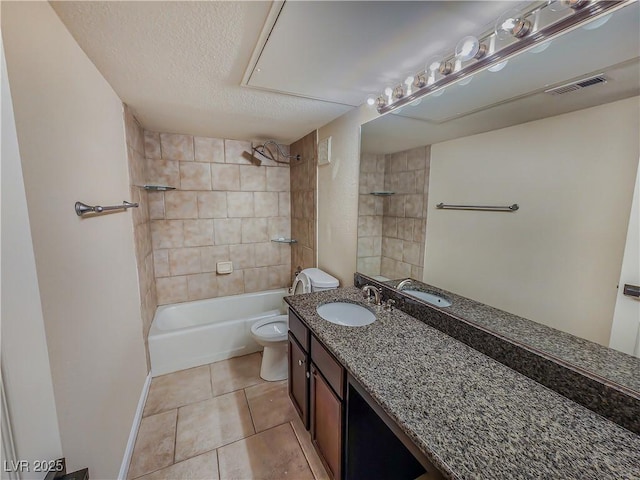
(224, 208)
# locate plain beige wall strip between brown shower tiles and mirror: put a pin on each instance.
(338, 195)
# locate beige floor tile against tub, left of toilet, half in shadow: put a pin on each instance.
(235, 373)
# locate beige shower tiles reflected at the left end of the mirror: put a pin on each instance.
(391, 229)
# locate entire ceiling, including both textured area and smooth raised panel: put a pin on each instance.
(180, 65)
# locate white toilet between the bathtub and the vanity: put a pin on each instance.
(271, 332)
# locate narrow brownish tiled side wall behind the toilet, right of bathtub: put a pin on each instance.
(303, 198)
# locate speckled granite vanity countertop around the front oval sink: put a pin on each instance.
(471, 416)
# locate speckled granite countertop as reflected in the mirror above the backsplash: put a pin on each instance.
(607, 363)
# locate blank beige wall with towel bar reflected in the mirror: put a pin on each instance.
(556, 260)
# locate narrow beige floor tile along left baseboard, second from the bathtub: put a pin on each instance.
(154, 444)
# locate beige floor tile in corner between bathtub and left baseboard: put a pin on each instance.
(178, 389)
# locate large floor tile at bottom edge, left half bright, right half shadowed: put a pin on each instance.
(273, 454)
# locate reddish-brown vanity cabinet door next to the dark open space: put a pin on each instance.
(326, 423)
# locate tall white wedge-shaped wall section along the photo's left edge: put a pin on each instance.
(26, 371)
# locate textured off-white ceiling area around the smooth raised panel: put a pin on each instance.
(179, 66)
